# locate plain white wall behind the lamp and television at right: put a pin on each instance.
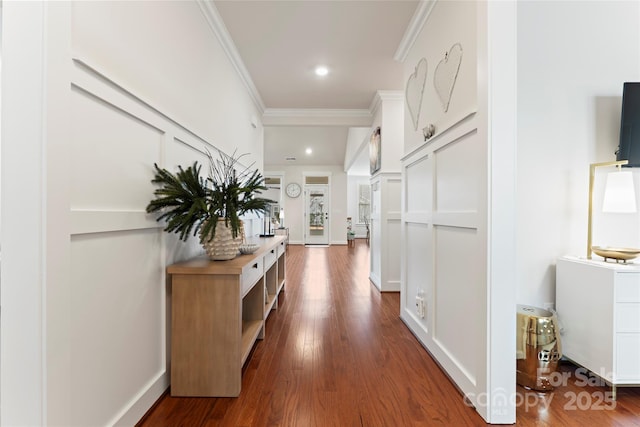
(569, 97)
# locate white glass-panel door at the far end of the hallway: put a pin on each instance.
(317, 215)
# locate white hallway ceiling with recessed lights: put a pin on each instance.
(281, 42)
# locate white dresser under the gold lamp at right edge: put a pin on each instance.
(598, 305)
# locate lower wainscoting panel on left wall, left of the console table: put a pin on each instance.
(117, 321)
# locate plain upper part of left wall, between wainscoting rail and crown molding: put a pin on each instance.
(183, 72)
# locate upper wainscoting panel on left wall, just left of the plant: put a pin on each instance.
(112, 150)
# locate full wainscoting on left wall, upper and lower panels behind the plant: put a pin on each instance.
(121, 305)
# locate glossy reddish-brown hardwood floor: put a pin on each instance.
(337, 354)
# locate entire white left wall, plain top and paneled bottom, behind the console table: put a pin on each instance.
(84, 296)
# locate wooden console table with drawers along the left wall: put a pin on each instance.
(218, 312)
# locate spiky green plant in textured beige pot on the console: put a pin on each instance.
(212, 206)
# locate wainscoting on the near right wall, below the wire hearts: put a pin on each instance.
(442, 251)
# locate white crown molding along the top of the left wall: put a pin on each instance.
(220, 30)
